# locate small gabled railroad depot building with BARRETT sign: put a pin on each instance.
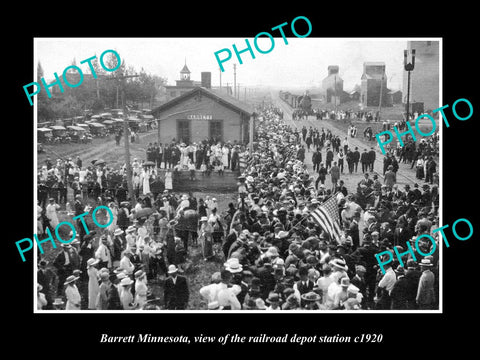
(202, 113)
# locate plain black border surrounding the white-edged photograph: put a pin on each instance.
(56, 333)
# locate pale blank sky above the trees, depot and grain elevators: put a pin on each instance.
(302, 62)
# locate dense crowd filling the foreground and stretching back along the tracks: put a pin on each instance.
(273, 255)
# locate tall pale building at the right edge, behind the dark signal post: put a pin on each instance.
(425, 77)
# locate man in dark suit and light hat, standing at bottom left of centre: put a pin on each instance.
(176, 292)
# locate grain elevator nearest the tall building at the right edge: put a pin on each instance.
(373, 82)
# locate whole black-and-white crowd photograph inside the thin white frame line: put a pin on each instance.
(209, 175)
